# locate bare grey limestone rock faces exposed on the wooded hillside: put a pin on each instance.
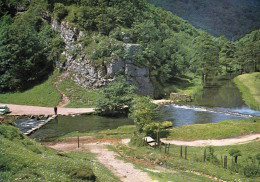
(88, 75)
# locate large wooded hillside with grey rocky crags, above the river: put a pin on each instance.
(97, 41)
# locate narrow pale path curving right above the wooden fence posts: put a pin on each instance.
(216, 142)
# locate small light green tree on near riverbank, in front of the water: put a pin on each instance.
(143, 112)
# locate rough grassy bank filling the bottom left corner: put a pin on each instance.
(24, 159)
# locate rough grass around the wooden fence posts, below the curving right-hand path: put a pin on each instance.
(194, 164)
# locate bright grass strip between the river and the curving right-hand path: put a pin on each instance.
(222, 129)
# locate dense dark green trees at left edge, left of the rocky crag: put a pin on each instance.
(28, 51)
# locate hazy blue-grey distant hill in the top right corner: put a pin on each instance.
(231, 18)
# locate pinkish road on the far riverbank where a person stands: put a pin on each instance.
(37, 110)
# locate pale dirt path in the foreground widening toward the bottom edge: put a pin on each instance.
(125, 171)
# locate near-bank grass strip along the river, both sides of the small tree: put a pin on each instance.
(223, 129)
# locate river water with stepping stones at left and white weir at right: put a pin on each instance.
(212, 105)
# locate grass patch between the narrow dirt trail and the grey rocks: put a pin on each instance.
(79, 97)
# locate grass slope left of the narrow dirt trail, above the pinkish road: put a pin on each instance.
(44, 94)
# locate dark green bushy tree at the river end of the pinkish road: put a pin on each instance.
(116, 97)
